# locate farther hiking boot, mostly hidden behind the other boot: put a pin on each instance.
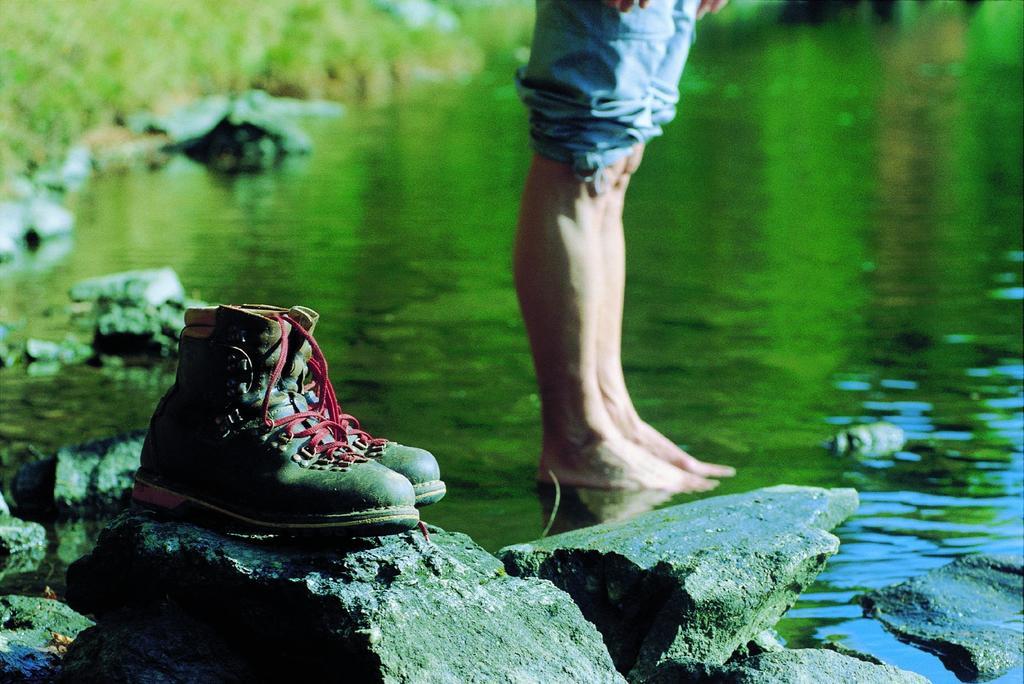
(417, 465)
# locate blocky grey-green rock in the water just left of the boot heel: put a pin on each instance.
(97, 478)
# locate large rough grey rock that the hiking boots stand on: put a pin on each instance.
(397, 609)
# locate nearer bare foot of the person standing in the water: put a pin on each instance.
(616, 463)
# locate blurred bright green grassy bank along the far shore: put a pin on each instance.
(68, 67)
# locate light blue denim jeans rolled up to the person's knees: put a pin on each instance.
(601, 81)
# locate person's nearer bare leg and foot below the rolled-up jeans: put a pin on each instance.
(559, 276)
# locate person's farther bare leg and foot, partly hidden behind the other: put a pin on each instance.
(610, 365)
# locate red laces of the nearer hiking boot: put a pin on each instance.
(325, 415)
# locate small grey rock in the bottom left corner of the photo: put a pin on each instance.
(30, 652)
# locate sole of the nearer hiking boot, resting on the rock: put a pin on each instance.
(162, 498)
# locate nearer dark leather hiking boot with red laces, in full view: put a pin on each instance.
(234, 440)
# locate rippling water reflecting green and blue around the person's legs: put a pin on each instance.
(829, 234)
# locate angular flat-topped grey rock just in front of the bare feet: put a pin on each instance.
(696, 581)
